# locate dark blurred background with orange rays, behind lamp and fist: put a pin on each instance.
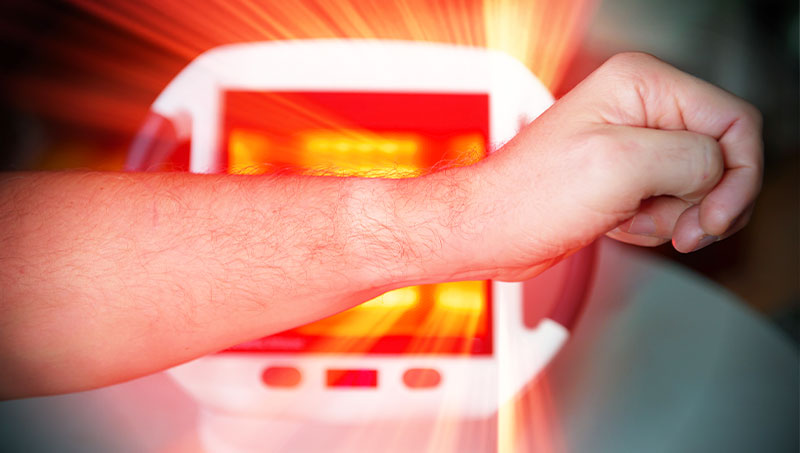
(78, 77)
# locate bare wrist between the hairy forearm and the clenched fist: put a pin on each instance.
(416, 231)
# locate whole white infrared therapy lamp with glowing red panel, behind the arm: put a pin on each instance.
(367, 109)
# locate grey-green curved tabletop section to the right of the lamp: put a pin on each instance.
(666, 361)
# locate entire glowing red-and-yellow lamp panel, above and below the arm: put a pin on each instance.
(386, 135)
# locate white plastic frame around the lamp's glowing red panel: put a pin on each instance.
(471, 385)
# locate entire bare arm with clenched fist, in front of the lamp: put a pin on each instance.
(110, 276)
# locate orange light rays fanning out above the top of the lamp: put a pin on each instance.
(115, 78)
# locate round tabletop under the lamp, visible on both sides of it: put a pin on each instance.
(661, 360)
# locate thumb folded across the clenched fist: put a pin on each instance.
(678, 163)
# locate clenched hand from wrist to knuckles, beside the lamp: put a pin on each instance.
(639, 151)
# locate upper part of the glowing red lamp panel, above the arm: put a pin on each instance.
(353, 134)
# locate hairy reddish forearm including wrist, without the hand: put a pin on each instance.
(108, 276)
